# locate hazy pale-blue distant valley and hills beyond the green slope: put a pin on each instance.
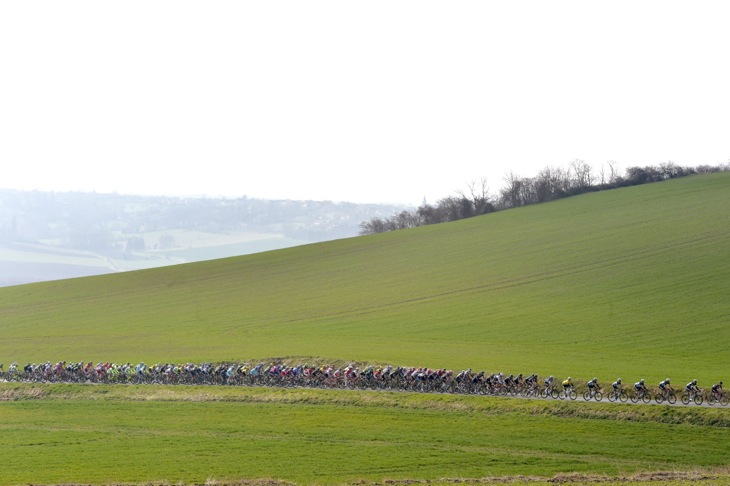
(57, 235)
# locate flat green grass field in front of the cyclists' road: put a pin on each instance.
(125, 434)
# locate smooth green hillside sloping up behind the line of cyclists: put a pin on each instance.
(631, 282)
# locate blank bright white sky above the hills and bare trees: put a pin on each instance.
(369, 101)
